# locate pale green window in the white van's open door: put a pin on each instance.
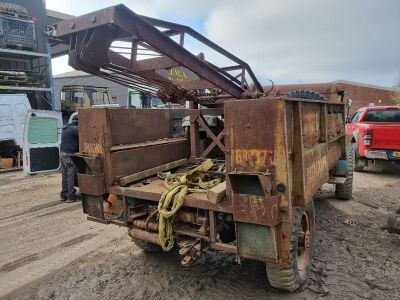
(42, 130)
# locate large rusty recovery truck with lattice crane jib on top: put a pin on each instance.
(273, 153)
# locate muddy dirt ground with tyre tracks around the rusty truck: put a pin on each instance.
(48, 250)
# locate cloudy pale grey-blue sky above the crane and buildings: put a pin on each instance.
(287, 41)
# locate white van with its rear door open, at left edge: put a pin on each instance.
(36, 133)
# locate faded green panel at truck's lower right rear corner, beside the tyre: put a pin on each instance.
(256, 239)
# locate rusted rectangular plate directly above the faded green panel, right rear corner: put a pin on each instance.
(256, 209)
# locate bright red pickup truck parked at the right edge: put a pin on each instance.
(376, 135)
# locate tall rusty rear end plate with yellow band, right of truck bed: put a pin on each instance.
(256, 141)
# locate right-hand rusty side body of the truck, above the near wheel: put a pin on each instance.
(287, 141)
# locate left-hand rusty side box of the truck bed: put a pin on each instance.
(122, 140)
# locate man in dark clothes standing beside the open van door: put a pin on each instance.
(69, 146)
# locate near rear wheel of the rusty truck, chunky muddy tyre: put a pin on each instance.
(293, 276)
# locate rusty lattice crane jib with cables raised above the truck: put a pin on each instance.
(168, 70)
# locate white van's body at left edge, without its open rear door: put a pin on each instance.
(13, 110)
